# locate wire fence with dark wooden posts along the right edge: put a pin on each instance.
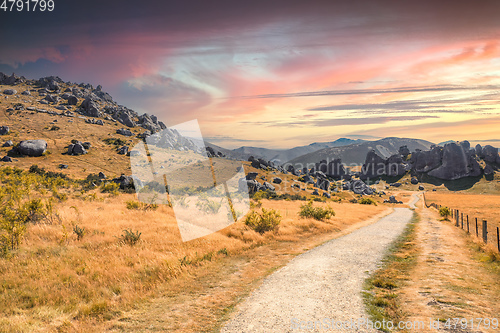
(473, 225)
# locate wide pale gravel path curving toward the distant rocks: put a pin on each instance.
(324, 283)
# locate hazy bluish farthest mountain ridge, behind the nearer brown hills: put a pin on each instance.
(282, 155)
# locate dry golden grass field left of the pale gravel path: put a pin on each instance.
(54, 281)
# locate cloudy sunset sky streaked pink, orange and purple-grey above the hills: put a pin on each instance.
(278, 74)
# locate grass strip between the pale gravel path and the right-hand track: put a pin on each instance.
(381, 288)
